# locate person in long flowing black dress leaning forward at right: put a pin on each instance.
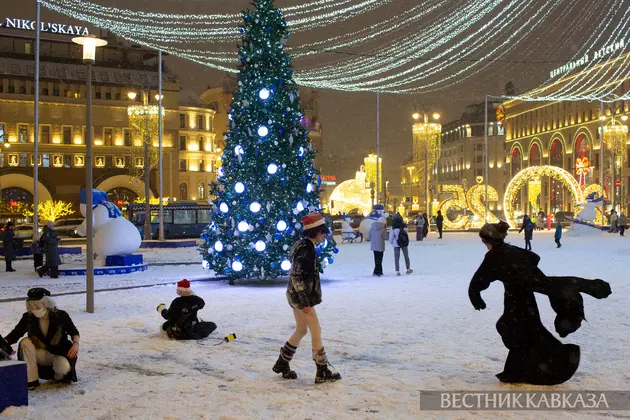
(535, 356)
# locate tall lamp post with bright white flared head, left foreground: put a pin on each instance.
(89, 43)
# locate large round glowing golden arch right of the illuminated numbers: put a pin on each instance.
(531, 173)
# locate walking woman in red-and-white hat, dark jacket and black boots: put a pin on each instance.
(304, 292)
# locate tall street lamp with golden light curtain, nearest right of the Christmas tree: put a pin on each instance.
(426, 146)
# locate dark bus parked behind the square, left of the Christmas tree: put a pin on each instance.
(181, 220)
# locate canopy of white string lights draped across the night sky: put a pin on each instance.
(430, 45)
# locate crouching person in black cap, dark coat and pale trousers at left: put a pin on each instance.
(47, 351)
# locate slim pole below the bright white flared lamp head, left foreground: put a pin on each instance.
(88, 195)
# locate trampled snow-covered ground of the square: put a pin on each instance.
(390, 337)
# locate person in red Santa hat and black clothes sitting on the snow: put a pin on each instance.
(181, 318)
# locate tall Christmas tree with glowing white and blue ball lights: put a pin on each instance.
(266, 181)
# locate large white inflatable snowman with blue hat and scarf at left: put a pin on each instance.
(113, 234)
